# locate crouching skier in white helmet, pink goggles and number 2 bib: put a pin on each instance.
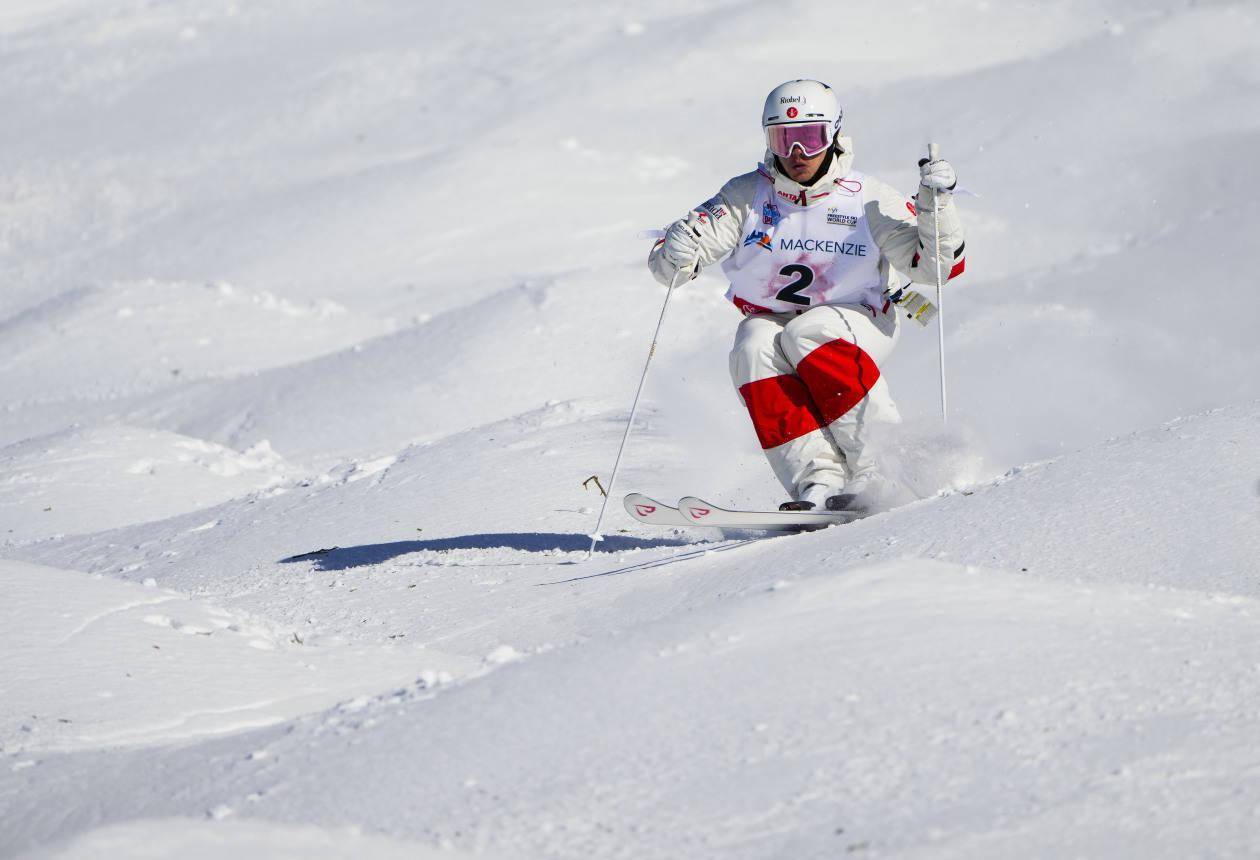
(813, 250)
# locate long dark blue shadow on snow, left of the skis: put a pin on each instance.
(341, 558)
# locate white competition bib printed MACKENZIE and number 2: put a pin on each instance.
(792, 259)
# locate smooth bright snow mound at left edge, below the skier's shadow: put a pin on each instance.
(149, 665)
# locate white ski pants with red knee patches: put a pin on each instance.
(812, 383)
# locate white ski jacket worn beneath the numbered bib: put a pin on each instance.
(902, 229)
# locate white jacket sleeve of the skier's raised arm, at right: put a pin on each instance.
(904, 232)
